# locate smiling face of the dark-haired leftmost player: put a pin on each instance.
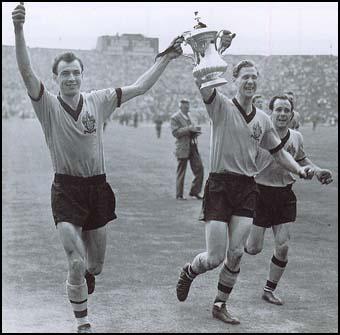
(69, 77)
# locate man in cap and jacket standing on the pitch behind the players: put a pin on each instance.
(186, 149)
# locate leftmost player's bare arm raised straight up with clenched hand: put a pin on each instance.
(31, 81)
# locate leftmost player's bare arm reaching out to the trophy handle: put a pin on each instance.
(149, 78)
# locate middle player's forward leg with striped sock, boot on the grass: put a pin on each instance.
(239, 228)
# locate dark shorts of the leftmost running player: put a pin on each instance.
(88, 202)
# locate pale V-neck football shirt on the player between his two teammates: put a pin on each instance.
(236, 137)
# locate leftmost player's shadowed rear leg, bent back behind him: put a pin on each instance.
(95, 244)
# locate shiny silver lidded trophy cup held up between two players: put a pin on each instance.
(208, 62)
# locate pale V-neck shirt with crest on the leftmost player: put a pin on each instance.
(75, 137)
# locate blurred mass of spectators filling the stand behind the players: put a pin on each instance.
(313, 79)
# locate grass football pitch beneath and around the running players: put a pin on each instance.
(151, 240)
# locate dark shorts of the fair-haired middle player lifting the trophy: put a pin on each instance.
(228, 194)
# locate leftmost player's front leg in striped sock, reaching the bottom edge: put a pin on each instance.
(76, 287)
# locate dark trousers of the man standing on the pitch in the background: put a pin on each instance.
(197, 169)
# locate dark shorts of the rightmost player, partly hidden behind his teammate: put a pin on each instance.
(276, 205)
